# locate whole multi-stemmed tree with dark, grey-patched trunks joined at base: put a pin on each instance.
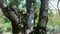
(16, 17)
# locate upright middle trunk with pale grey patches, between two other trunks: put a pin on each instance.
(30, 5)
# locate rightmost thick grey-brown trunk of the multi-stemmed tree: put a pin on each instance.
(43, 18)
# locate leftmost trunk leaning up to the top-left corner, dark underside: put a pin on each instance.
(8, 12)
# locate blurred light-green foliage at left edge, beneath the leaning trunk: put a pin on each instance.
(5, 24)
